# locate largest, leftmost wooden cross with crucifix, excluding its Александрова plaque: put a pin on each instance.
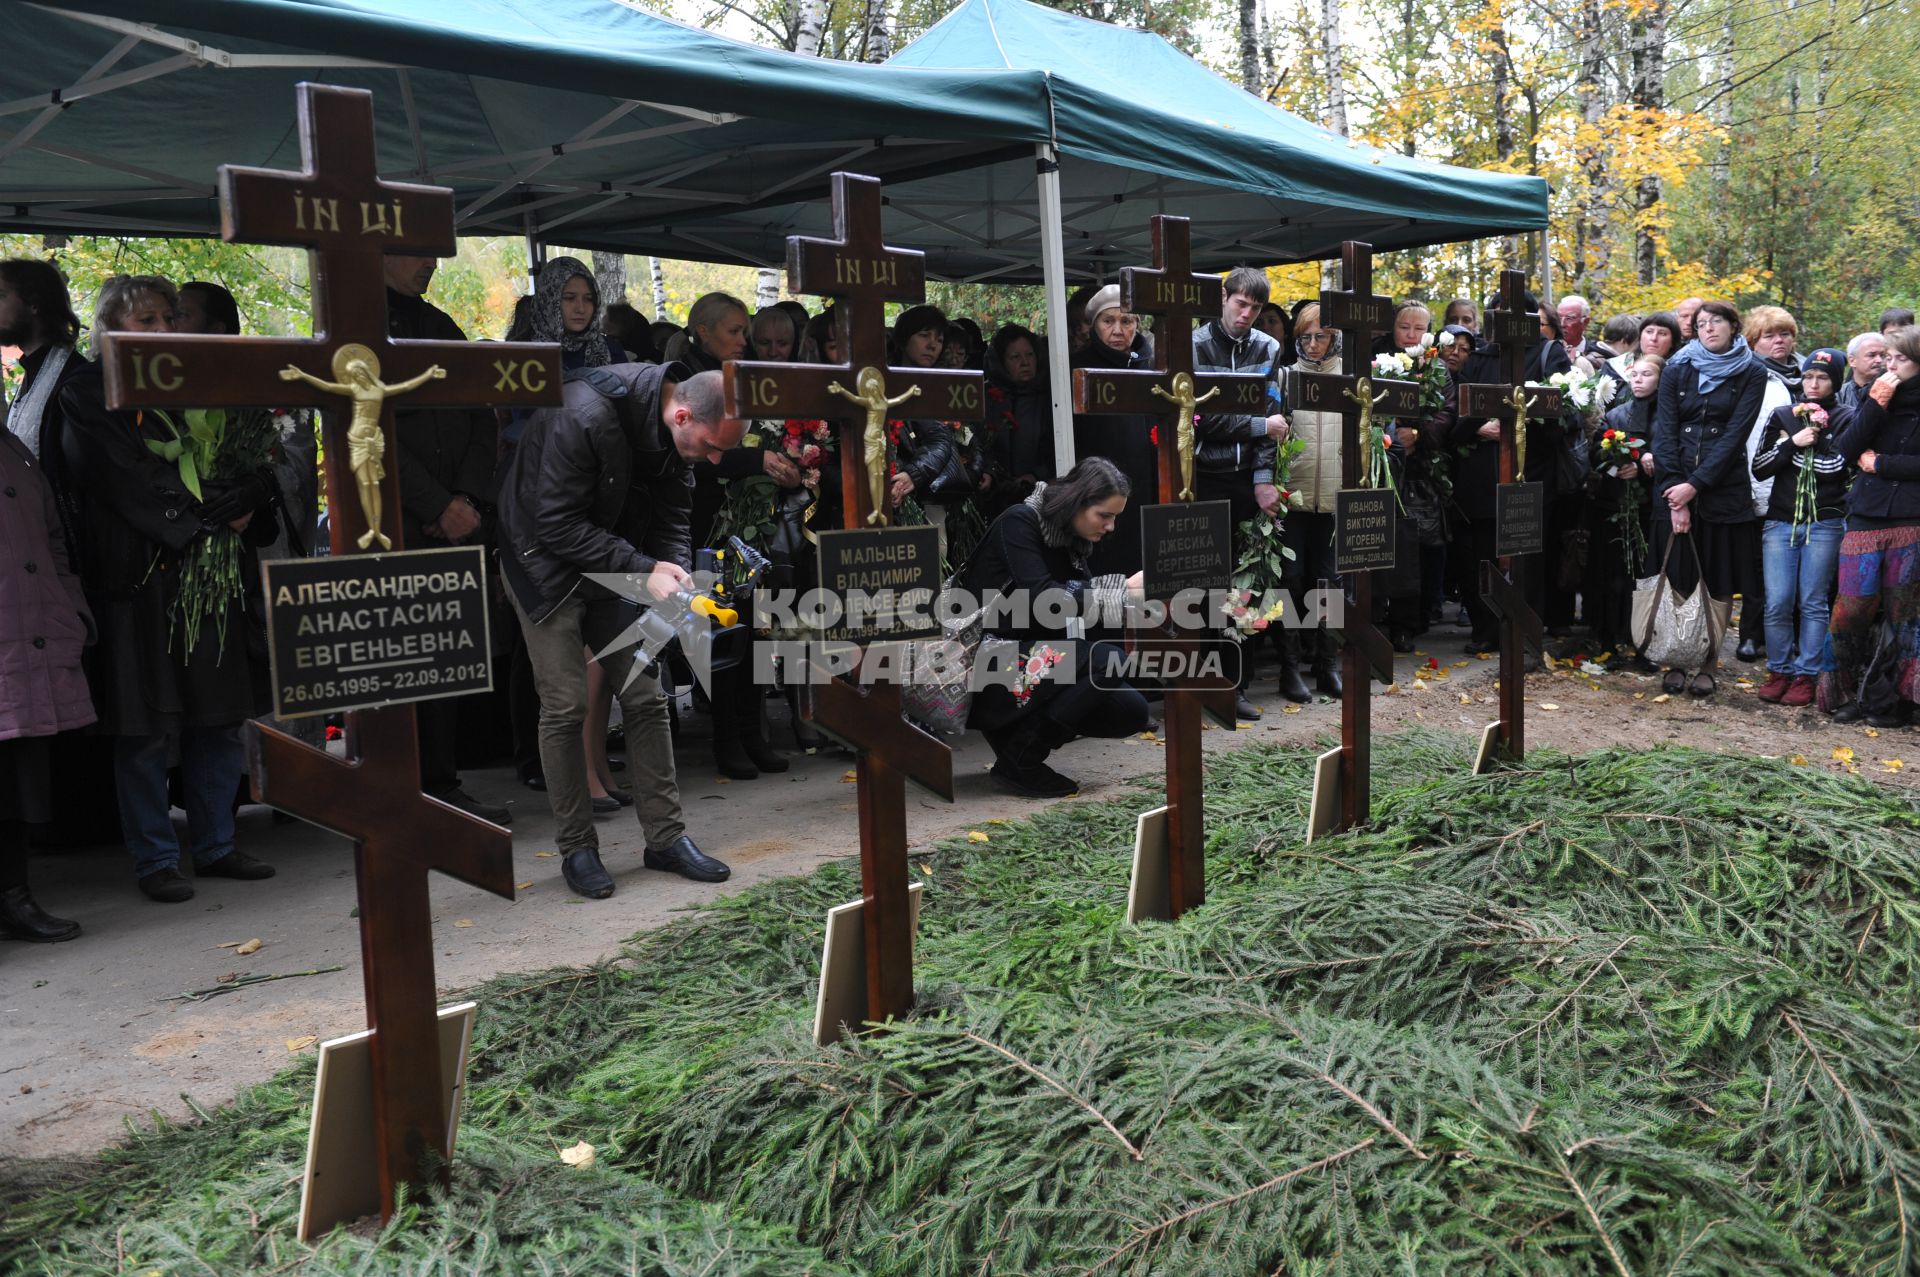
(350, 220)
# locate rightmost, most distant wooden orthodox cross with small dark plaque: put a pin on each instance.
(1520, 508)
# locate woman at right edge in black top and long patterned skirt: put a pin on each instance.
(1881, 552)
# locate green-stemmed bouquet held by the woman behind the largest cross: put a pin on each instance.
(214, 446)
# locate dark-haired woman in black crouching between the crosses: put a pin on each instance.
(1042, 550)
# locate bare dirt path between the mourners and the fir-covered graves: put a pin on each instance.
(99, 1036)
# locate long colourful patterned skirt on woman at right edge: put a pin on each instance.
(1875, 633)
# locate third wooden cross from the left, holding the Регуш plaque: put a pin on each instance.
(1172, 393)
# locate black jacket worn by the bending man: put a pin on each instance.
(596, 487)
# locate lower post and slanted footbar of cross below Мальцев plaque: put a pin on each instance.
(888, 754)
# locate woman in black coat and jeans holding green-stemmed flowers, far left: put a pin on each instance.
(164, 500)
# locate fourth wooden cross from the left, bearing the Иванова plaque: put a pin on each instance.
(1343, 784)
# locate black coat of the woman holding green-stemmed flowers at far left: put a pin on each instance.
(137, 521)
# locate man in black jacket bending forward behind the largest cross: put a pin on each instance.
(606, 485)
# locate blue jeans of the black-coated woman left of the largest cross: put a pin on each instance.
(212, 761)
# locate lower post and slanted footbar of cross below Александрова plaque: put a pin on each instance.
(398, 838)
